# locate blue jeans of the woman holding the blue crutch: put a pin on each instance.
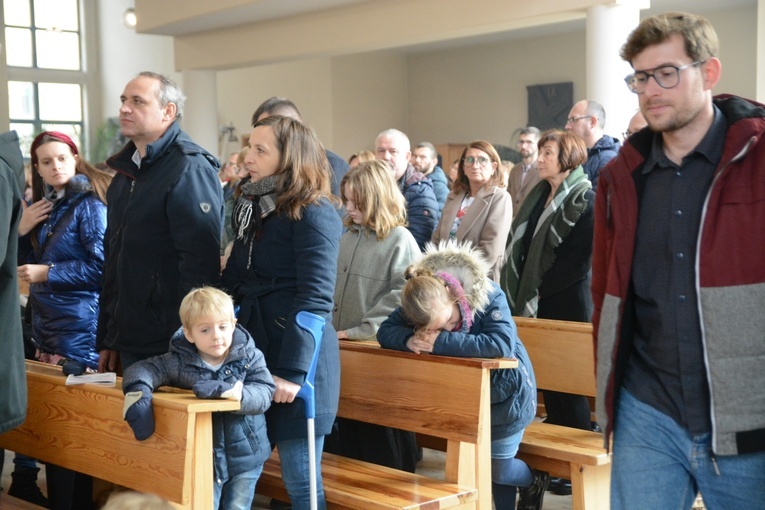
(293, 454)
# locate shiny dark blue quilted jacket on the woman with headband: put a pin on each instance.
(65, 308)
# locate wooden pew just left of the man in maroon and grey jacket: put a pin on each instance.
(563, 359)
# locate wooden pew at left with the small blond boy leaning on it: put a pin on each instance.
(81, 427)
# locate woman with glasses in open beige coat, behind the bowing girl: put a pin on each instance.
(478, 209)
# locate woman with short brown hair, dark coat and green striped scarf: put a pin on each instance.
(547, 274)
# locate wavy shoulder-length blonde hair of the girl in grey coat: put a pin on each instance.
(376, 195)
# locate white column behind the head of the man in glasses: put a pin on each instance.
(607, 28)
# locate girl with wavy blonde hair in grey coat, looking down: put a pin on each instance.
(374, 252)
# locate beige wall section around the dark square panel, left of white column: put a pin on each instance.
(479, 92)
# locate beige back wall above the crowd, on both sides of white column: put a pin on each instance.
(445, 96)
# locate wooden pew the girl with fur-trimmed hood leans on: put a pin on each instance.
(434, 395)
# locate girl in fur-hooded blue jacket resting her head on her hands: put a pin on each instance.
(450, 307)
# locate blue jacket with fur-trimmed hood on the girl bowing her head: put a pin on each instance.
(492, 335)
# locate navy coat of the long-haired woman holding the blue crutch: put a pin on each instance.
(291, 266)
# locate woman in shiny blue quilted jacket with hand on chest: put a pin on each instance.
(61, 257)
